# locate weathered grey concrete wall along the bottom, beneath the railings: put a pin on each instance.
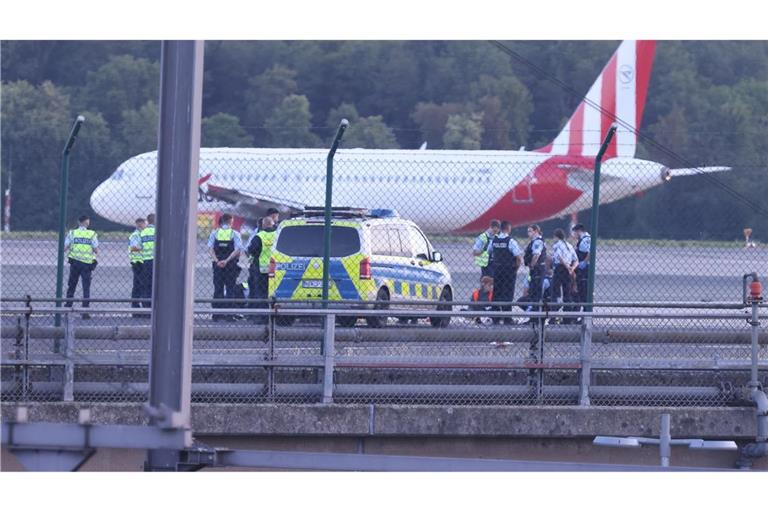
(520, 433)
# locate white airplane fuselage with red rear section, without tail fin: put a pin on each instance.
(440, 190)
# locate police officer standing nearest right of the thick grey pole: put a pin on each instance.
(224, 246)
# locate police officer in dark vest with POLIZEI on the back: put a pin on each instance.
(505, 254)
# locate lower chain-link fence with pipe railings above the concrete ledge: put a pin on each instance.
(633, 357)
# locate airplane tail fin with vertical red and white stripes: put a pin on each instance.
(620, 93)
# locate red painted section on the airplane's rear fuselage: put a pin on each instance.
(549, 192)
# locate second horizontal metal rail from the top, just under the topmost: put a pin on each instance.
(393, 312)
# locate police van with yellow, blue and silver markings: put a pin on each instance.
(375, 256)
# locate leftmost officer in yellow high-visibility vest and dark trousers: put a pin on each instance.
(81, 246)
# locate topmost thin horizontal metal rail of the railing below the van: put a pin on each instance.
(284, 303)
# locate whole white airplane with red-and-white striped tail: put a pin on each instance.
(440, 190)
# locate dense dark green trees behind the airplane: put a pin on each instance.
(708, 102)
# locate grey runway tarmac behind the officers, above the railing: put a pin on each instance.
(632, 273)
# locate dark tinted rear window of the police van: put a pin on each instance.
(307, 241)
